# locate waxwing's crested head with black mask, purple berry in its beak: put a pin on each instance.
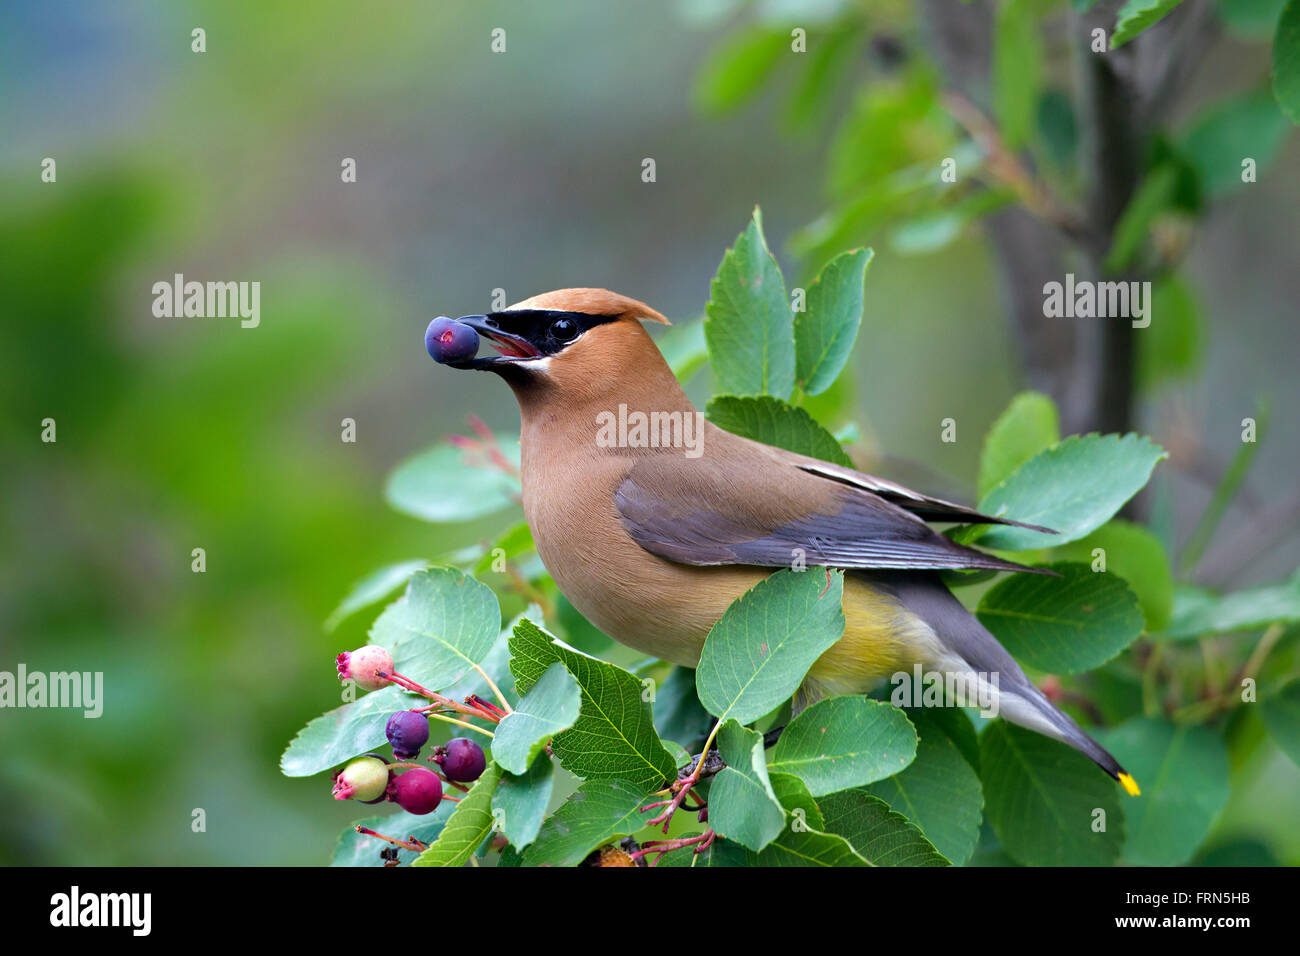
(571, 343)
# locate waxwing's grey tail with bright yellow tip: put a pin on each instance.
(970, 648)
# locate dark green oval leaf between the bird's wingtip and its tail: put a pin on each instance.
(1065, 625)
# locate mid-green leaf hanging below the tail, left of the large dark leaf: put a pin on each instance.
(939, 791)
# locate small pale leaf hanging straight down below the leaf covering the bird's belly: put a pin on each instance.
(742, 803)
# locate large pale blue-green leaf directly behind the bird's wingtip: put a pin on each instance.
(1074, 487)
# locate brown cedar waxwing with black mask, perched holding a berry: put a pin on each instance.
(653, 544)
